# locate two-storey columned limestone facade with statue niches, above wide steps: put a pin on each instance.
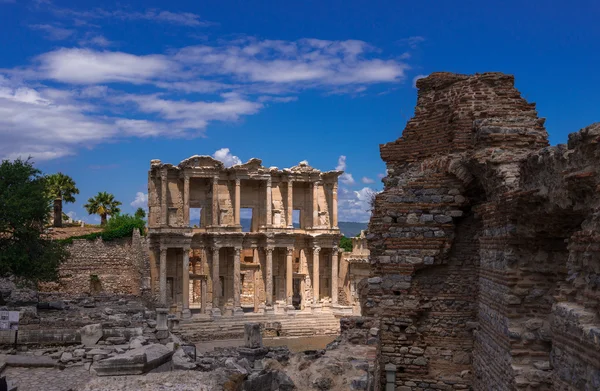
(274, 268)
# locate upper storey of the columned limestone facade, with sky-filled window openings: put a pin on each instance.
(201, 195)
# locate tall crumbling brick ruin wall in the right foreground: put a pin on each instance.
(485, 245)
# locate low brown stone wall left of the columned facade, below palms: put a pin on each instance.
(120, 267)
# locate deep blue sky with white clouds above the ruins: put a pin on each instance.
(98, 89)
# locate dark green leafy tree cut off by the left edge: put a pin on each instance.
(26, 251)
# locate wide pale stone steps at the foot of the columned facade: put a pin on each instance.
(204, 328)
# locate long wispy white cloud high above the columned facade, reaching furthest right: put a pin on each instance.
(298, 64)
